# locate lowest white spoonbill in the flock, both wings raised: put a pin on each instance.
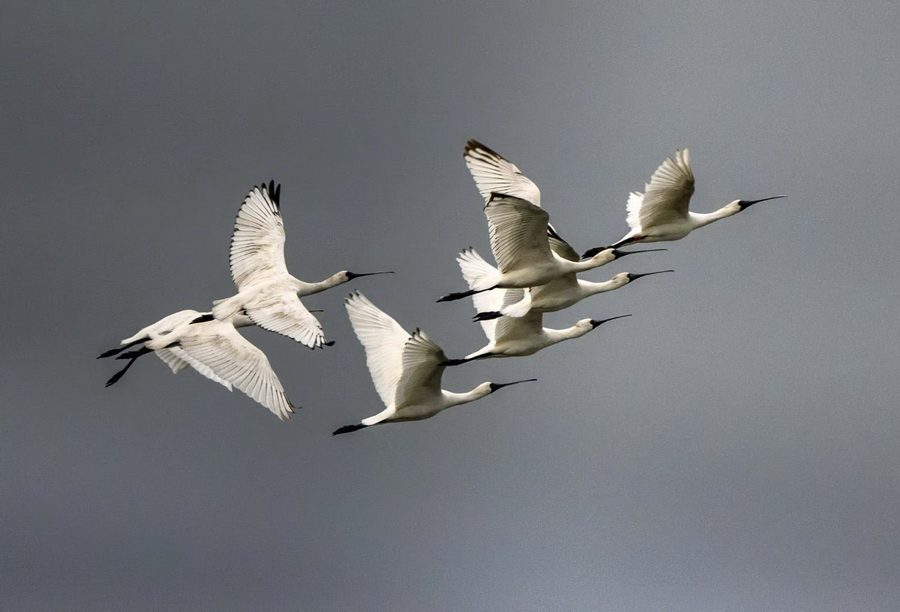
(406, 368)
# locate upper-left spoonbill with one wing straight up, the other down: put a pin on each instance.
(266, 291)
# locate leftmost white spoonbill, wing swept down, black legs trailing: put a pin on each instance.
(215, 349)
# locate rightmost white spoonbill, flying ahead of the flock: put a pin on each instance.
(661, 212)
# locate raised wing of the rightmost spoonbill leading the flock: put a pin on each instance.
(666, 196)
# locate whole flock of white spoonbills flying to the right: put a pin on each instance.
(536, 272)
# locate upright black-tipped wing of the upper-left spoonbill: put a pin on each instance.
(257, 243)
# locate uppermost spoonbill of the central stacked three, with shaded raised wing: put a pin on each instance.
(520, 244)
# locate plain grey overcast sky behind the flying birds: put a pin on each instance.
(733, 445)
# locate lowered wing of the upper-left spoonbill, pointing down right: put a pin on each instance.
(283, 312)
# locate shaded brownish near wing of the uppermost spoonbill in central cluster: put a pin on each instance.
(518, 232)
